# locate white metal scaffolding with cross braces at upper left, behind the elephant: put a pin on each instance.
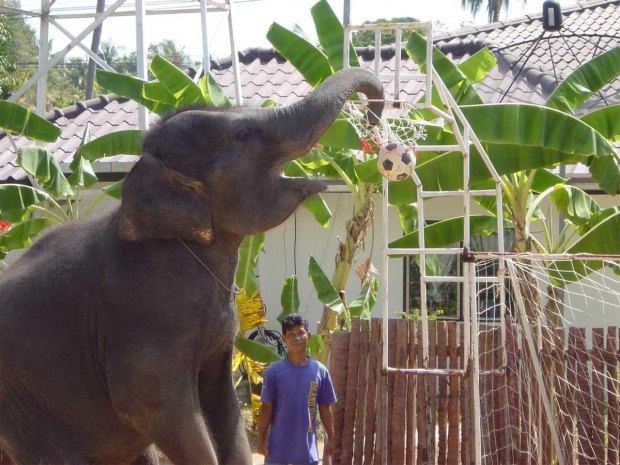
(141, 10)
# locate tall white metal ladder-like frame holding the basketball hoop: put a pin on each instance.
(465, 138)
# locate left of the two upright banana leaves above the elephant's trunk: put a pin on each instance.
(305, 57)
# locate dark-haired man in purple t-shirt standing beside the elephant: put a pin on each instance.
(293, 388)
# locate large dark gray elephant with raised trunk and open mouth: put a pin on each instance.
(114, 337)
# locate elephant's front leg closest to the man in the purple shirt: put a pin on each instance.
(221, 409)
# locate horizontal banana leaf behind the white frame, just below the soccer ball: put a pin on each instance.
(447, 232)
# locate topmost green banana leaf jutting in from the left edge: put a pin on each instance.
(20, 120)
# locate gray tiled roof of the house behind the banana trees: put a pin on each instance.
(530, 62)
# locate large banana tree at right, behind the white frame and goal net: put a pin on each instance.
(525, 180)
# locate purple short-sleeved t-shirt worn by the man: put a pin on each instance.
(295, 392)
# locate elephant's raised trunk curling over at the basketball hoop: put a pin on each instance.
(302, 124)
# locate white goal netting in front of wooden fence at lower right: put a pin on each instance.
(549, 379)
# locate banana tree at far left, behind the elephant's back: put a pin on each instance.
(54, 198)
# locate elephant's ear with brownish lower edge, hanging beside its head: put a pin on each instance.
(162, 203)
